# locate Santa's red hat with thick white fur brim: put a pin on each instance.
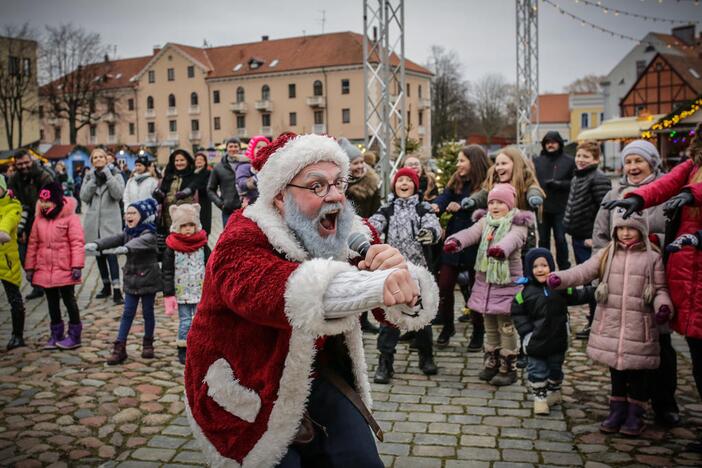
(278, 163)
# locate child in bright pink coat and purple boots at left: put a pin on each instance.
(55, 258)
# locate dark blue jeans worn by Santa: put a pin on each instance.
(348, 442)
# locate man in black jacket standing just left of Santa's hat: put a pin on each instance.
(223, 177)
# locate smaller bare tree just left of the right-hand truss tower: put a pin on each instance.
(490, 96)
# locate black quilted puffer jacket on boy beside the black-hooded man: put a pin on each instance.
(587, 189)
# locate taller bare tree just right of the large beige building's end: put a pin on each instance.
(451, 113)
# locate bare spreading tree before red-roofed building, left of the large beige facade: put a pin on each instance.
(75, 65)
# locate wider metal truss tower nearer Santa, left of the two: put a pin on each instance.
(384, 80)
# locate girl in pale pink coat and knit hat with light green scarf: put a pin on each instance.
(501, 234)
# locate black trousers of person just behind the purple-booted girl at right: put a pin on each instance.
(664, 380)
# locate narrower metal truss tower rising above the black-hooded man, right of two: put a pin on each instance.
(527, 72)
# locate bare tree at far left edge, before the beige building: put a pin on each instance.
(18, 81)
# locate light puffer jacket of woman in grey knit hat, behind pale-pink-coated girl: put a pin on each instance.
(602, 230)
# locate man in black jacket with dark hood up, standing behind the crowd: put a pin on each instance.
(554, 169)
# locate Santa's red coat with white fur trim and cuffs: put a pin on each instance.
(252, 342)
